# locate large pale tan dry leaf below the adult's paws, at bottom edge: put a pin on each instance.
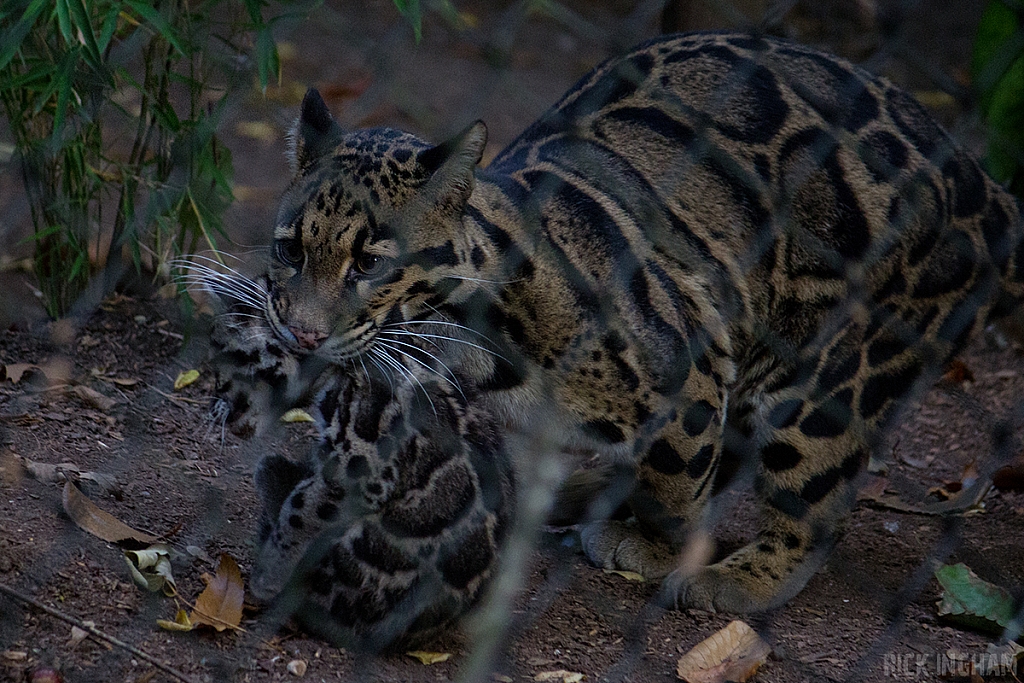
(735, 654)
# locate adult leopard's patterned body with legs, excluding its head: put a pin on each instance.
(760, 244)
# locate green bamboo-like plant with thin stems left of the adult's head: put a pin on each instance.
(114, 107)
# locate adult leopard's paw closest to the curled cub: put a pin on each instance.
(619, 545)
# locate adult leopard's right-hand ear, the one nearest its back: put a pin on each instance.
(452, 164)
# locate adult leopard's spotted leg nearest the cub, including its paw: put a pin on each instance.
(673, 482)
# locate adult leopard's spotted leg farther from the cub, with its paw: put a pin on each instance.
(812, 439)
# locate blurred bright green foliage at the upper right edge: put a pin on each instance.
(998, 71)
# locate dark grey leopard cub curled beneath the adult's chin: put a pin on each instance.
(390, 532)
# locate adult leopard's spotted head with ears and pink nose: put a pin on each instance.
(369, 234)
